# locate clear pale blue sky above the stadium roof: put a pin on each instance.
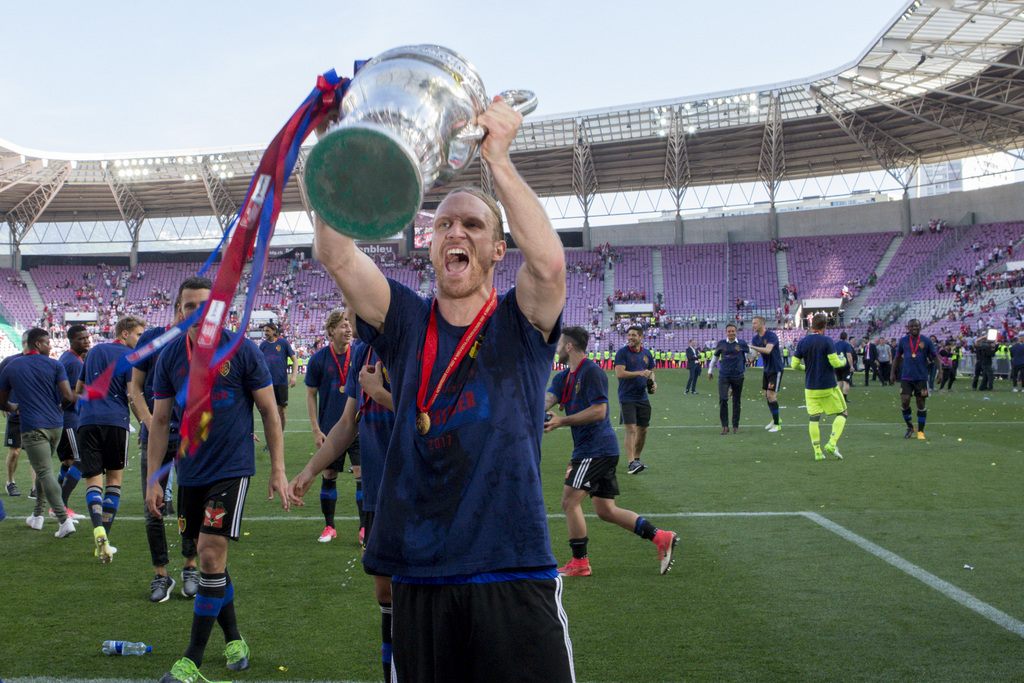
(119, 77)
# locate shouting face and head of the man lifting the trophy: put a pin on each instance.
(463, 249)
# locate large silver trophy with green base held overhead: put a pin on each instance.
(408, 125)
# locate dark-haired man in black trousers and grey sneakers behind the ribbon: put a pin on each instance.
(156, 535)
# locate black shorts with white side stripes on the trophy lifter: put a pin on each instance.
(498, 632)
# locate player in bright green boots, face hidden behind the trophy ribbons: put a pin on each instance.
(214, 482)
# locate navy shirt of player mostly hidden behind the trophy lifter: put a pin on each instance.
(376, 425)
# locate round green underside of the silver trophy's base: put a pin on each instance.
(362, 182)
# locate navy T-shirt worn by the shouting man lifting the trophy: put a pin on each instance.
(464, 499)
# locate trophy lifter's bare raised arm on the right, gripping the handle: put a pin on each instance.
(541, 282)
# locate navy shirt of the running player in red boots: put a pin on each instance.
(590, 387)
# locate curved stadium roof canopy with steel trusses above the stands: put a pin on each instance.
(945, 81)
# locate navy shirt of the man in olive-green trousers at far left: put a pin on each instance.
(36, 378)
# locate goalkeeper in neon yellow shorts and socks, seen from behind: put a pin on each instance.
(817, 356)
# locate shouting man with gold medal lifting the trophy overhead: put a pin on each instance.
(460, 523)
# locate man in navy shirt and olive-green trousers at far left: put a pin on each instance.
(41, 385)
